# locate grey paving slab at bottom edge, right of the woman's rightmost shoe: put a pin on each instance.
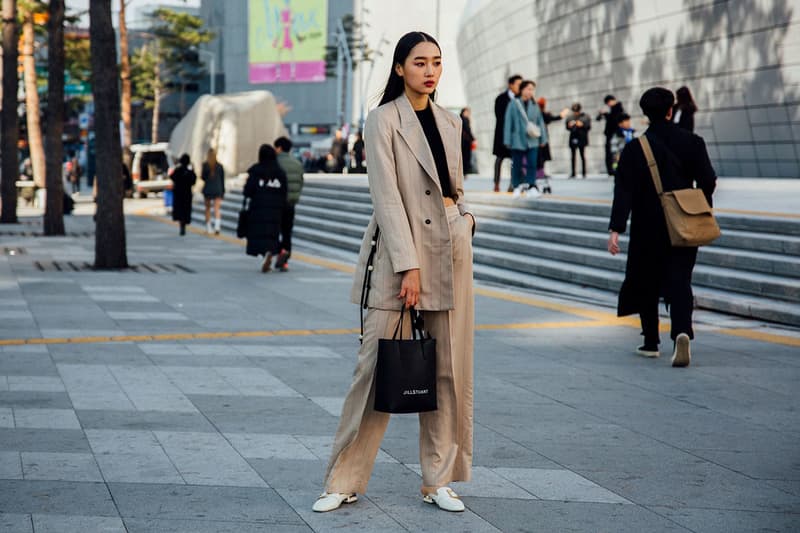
(524, 516)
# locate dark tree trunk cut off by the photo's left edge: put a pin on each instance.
(10, 124)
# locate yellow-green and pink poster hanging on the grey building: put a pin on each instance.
(286, 40)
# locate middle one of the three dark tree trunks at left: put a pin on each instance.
(54, 209)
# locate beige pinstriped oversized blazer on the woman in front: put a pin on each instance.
(409, 206)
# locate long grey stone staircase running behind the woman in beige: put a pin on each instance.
(753, 270)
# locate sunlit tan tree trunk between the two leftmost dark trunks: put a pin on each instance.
(33, 109)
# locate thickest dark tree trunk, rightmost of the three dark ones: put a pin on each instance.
(109, 250)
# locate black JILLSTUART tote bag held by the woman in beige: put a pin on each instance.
(405, 376)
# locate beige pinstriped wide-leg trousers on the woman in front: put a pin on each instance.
(445, 440)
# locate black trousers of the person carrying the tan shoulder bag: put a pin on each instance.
(677, 276)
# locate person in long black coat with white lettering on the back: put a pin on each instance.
(265, 191)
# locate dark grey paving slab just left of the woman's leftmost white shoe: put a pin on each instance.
(176, 502)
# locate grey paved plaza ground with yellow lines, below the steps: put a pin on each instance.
(205, 399)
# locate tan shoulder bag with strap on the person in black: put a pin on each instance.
(690, 220)
